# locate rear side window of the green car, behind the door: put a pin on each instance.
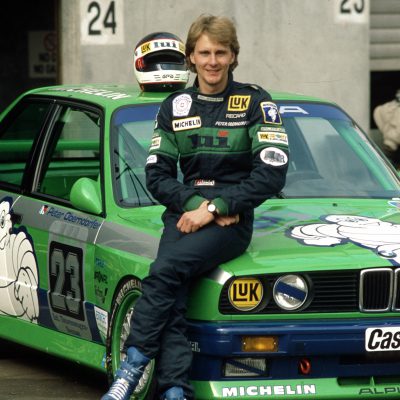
(17, 135)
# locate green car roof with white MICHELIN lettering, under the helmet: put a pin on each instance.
(124, 94)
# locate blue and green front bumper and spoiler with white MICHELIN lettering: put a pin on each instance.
(341, 368)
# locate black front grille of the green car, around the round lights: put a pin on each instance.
(370, 290)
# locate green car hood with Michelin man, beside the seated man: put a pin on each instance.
(321, 234)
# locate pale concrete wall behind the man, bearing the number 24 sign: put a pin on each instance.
(316, 47)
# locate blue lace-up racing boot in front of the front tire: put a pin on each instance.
(127, 376)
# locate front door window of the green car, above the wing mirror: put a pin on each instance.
(74, 152)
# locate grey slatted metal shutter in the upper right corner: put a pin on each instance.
(385, 35)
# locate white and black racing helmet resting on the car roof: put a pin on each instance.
(160, 63)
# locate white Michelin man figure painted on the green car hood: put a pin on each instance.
(382, 237)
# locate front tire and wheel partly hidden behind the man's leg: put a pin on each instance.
(118, 330)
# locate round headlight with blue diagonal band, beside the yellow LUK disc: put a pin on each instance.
(290, 292)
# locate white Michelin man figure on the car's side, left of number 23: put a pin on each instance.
(18, 271)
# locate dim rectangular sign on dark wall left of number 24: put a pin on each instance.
(42, 47)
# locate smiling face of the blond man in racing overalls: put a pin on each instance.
(212, 61)
